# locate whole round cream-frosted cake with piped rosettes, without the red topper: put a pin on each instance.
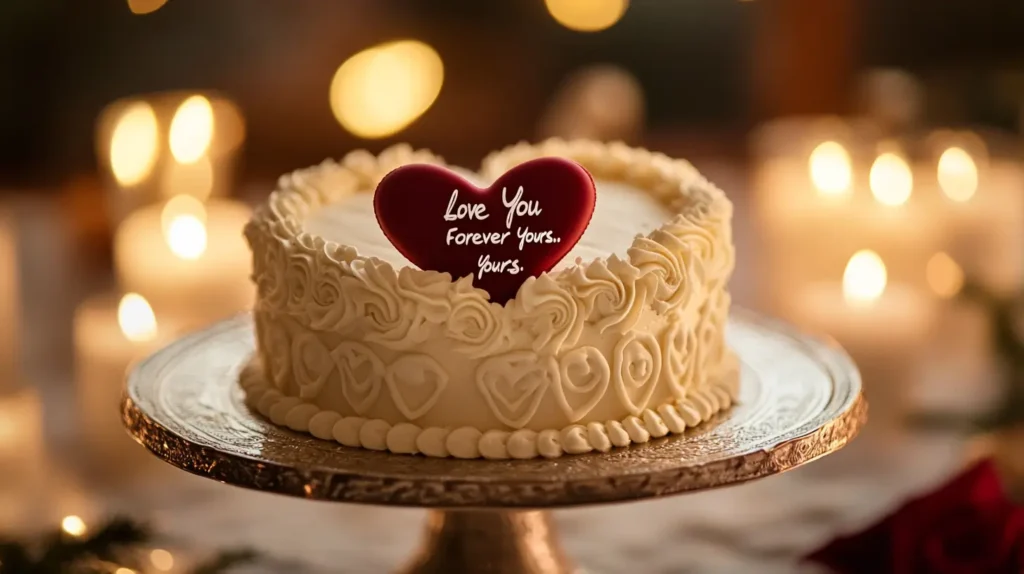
(621, 342)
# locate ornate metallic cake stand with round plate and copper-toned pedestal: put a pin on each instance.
(801, 400)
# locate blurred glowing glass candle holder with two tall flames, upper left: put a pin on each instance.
(156, 147)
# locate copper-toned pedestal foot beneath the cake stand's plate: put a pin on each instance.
(490, 543)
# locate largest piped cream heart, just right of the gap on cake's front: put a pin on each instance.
(514, 385)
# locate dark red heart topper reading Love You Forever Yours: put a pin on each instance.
(521, 227)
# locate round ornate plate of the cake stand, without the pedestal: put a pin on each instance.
(196, 425)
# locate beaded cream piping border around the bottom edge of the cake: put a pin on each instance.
(467, 443)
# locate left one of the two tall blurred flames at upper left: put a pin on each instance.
(135, 145)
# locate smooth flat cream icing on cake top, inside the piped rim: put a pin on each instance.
(622, 212)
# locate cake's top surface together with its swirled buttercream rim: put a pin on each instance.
(659, 227)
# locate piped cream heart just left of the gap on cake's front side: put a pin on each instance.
(416, 383)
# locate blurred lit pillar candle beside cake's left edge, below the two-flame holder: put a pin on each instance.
(188, 259)
